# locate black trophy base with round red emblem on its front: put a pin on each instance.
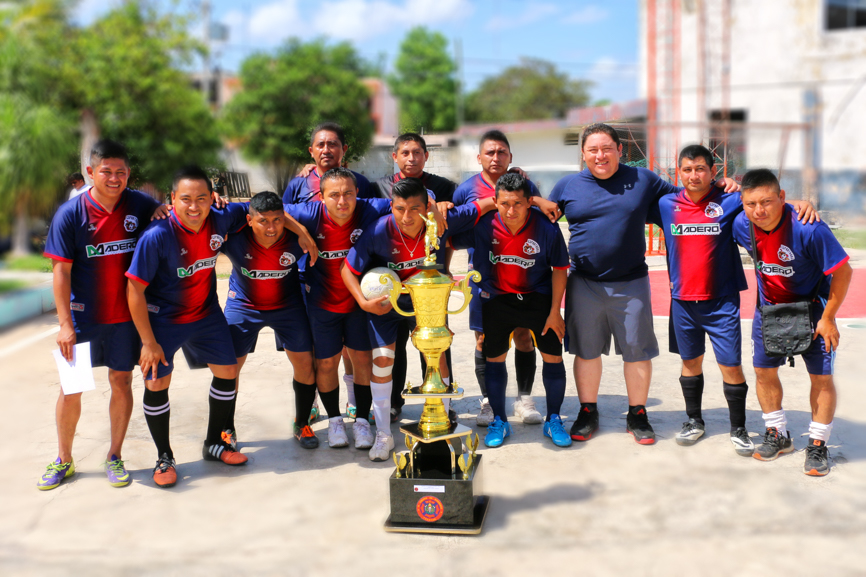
(437, 499)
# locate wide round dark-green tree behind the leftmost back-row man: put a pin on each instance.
(287, 93)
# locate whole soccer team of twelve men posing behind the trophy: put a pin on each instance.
(137, 280)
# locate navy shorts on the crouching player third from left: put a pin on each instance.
(291, 328)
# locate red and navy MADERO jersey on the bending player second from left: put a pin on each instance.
(177, 265)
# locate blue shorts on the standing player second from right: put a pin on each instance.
(692, 321)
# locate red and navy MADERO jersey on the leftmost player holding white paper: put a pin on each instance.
(99, 244)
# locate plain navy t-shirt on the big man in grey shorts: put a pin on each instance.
(606, 221)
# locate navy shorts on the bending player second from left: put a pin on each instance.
(204, 342)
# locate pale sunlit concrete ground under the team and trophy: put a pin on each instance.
(605, 507)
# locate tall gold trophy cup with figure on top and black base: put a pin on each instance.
(461, 511)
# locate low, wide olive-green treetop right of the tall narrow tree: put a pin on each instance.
(532, 90)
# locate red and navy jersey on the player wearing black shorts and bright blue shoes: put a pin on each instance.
(515, 263)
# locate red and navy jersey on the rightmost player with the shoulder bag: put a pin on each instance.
(793, 258)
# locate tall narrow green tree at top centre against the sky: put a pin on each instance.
(424, 81)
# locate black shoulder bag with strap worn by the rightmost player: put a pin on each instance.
(787, 327)
